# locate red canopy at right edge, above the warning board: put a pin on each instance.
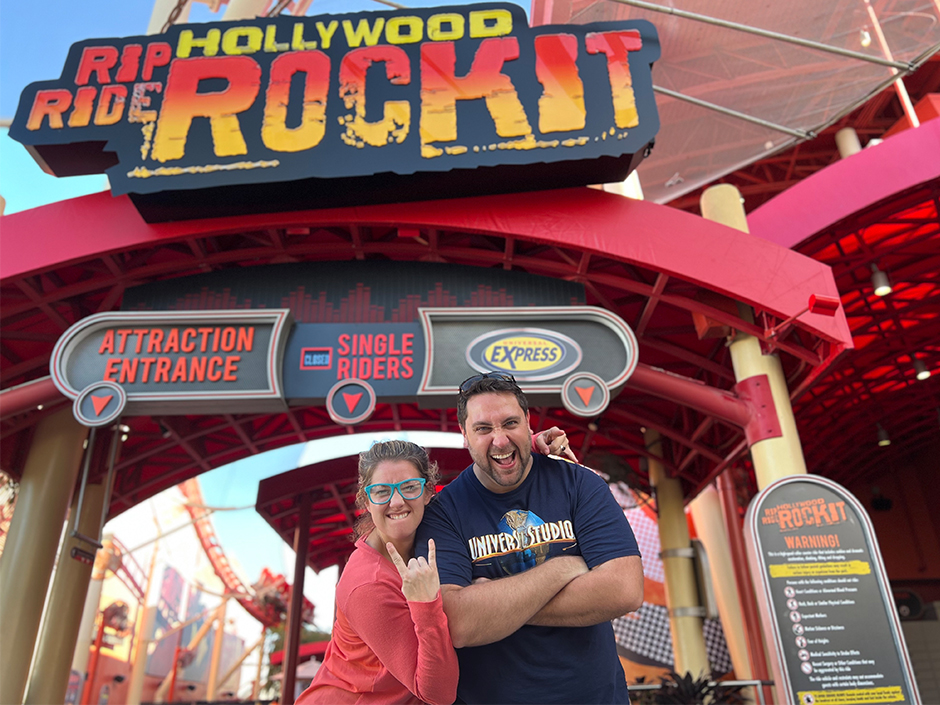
(877, 208)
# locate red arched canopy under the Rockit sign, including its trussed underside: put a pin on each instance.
(656, 268)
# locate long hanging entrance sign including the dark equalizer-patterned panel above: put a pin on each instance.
(344, 335)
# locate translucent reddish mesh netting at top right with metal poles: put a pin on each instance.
(797, 90)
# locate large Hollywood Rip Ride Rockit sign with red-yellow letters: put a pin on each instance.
(355, 108)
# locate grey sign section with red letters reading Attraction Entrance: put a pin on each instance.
(169, 361)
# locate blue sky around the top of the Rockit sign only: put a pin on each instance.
(34, 41)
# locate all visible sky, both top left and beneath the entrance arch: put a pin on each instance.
(34, 42)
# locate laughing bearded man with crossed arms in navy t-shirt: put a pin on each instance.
(535, 559)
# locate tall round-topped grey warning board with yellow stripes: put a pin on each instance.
(827, 606)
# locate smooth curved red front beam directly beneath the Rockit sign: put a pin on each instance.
(675, 243)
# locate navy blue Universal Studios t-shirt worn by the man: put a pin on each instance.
(560, 509)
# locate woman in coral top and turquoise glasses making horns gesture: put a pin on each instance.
(390, 639)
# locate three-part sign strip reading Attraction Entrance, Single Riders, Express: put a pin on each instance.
(244, 361)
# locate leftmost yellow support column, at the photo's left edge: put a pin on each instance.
(29, 554)
